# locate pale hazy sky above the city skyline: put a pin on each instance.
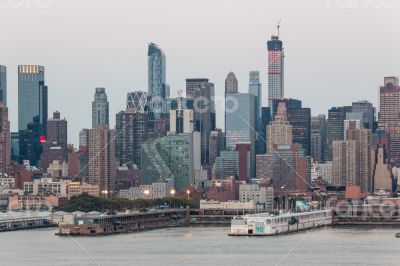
(337, 51)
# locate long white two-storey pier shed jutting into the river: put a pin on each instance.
(266, 224)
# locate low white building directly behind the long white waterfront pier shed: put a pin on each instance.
(261, 196)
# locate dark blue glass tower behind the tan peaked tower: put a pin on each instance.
(300, 119)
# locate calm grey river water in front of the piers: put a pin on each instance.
(204, 246)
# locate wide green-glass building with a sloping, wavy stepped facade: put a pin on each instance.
(176, 157)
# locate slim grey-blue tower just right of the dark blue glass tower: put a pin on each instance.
(318, 137)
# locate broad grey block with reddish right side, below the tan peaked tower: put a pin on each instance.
(288, 168)
